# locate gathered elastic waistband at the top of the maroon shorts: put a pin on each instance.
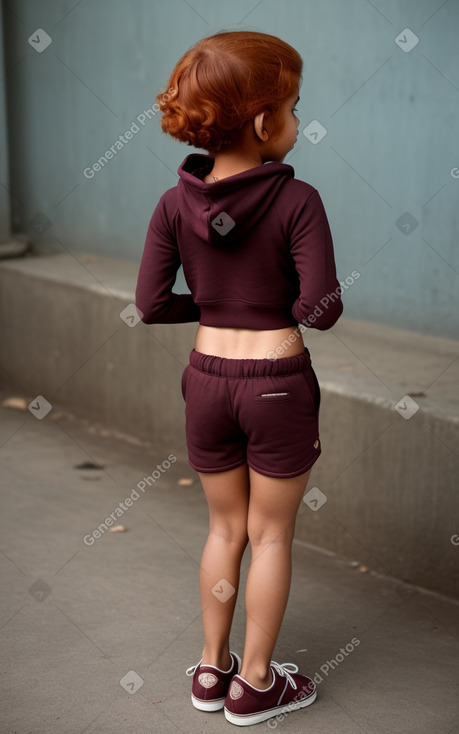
(225, 367)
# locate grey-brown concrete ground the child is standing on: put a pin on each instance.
(77, 618)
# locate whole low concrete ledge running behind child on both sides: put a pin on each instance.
(389, 482)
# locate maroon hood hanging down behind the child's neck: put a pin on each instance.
(223, 211)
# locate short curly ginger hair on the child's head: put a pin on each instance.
(223, 82)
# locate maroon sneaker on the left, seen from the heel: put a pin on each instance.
(210, 684)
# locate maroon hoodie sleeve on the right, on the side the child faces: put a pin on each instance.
(319, 303)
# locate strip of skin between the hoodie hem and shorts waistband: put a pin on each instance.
(249, 343)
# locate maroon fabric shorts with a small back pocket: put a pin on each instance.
(260, 411)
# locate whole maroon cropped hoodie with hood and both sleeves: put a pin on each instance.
(256, 252)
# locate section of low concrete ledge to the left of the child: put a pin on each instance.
(64, 339)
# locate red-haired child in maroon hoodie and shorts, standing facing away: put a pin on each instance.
(257, 256)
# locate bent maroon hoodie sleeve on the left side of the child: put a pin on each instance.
(157, 275)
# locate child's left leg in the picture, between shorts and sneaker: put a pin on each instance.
(227, 495)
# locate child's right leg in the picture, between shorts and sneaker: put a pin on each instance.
(271, 523)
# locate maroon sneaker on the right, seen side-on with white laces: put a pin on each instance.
(245, 705)
